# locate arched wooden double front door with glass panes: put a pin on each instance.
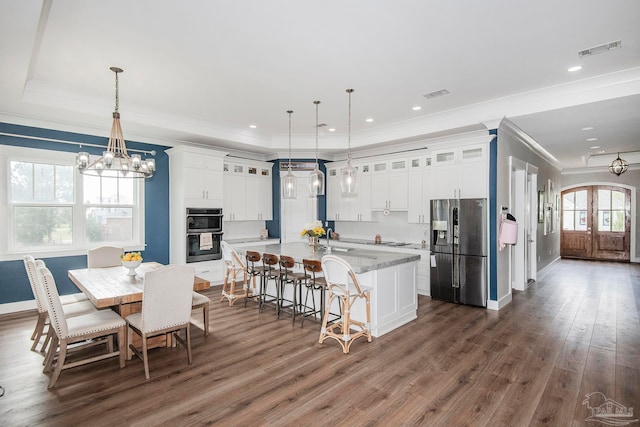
(596, 223)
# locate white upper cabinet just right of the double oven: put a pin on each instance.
(247, 190)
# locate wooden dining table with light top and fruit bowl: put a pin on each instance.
(112, 287)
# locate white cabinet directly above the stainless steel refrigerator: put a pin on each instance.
(460, 172)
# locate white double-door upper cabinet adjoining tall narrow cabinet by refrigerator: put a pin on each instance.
(389, 185)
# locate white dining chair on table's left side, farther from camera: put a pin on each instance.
(72, 305)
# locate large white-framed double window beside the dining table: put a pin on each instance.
(52, 208)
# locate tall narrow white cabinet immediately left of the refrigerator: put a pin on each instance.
(419, 189)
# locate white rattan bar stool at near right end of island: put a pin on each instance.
(343, 285)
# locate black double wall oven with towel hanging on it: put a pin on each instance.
(204, 234)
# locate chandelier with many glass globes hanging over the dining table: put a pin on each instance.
(115, 161)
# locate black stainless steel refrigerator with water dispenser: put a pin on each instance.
(459, 251)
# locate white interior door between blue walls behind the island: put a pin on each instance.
(295, 213)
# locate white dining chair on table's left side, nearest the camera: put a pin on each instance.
(71, 330)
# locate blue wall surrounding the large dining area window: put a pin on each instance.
(14, 285)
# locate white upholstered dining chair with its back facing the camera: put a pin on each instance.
(166, 308)
